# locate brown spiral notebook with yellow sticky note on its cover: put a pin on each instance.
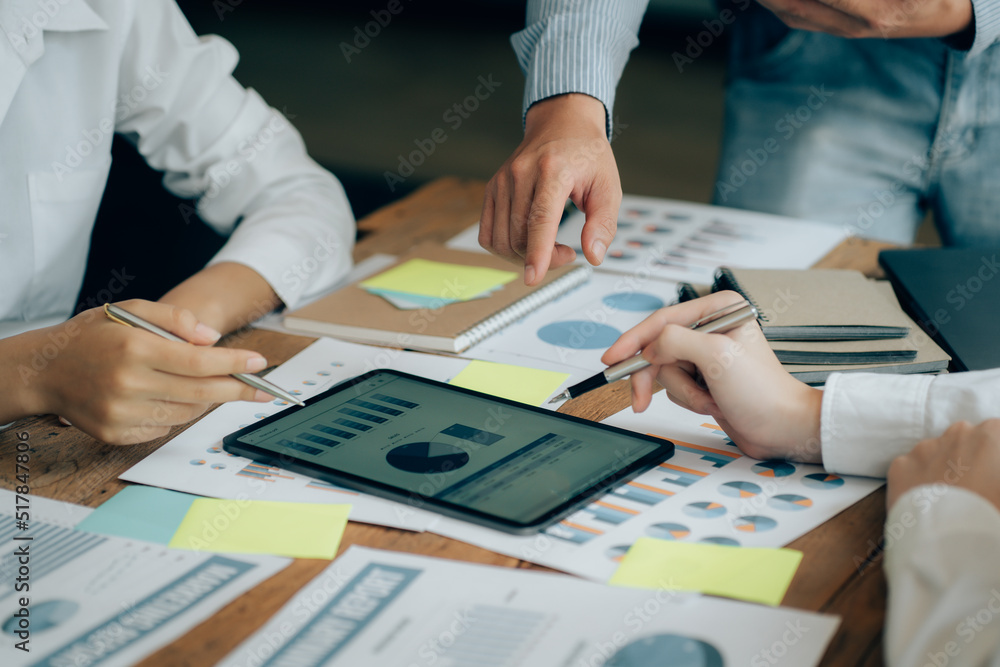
(354, 314)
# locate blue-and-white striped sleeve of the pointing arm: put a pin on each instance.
(577, 46)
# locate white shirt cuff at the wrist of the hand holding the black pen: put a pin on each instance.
(869, 419)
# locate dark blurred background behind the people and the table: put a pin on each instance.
(359, 117)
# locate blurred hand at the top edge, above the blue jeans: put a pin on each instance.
(884, 18)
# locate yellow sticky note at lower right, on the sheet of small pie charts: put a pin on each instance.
(744, 573)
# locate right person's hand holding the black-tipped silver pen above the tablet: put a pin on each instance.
(734, 377)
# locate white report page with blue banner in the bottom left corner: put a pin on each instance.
(99, 600)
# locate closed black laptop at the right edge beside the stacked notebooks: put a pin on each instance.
(954, 293)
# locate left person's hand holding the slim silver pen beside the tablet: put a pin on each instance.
(124, 385)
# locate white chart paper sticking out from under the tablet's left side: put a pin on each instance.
(194, 461)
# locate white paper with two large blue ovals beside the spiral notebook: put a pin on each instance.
(576, 329)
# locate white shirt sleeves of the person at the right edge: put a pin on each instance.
(943, 543)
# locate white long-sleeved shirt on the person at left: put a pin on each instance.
(73, 72)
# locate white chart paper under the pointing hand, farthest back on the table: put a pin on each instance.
(683, 241)
